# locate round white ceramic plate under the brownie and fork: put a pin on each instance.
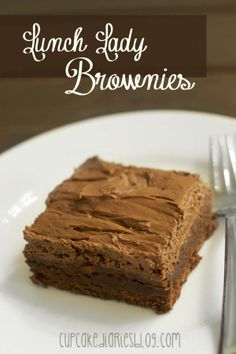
(31, 317)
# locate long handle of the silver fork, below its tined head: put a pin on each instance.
(228, 324)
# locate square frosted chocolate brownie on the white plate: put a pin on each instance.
(121, 232)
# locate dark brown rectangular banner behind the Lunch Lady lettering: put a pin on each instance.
(177, 43)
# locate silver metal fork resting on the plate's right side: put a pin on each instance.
(223, 168)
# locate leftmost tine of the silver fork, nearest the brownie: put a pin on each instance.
(216, 168)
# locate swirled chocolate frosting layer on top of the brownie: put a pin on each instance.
(123, 209)
